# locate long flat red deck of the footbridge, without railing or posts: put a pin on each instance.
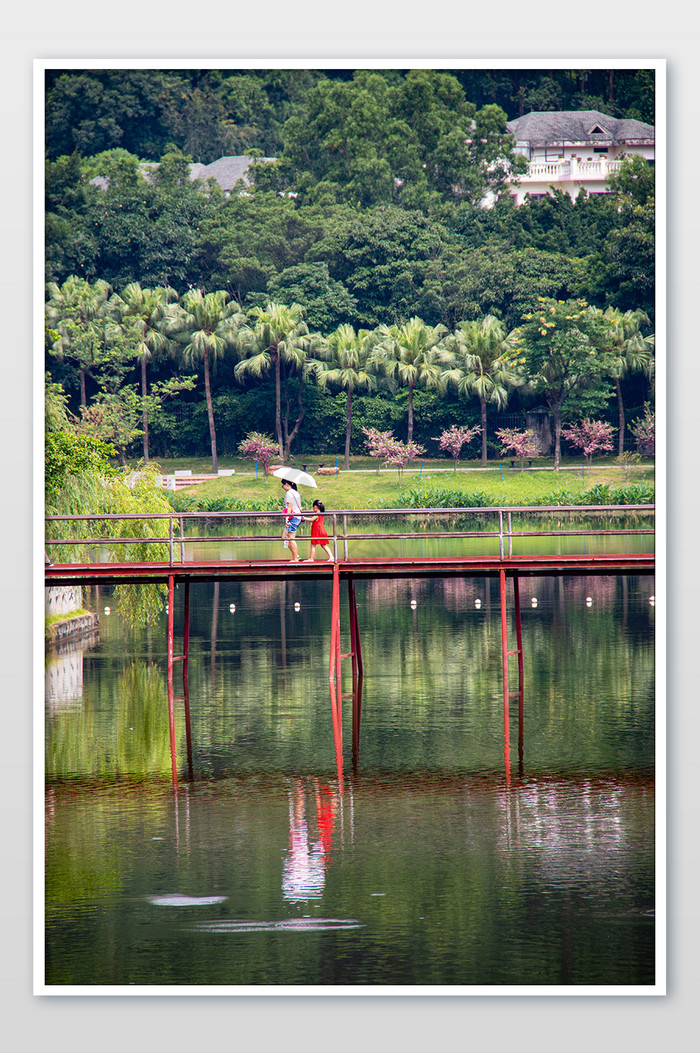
(114, 573)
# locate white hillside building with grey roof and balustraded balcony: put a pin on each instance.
(575, 150)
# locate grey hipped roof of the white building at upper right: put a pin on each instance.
(578, 127)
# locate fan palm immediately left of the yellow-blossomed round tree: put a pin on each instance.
(479, 348)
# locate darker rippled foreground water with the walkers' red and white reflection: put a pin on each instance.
(431, 880)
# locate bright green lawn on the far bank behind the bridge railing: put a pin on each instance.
(364, 487)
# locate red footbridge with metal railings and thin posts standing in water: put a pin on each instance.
(179, 567)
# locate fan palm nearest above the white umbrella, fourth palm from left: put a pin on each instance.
(278, 341)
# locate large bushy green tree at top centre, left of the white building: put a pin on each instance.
(386, 138)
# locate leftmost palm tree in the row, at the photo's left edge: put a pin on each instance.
(77, 310)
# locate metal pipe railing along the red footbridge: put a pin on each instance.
(346, 527)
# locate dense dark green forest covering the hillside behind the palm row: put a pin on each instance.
(371, 213)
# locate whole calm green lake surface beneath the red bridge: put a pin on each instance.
(448, 850)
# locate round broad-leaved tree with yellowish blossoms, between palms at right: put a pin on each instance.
(558, 348)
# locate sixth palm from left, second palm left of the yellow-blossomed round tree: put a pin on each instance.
(412, 353)
